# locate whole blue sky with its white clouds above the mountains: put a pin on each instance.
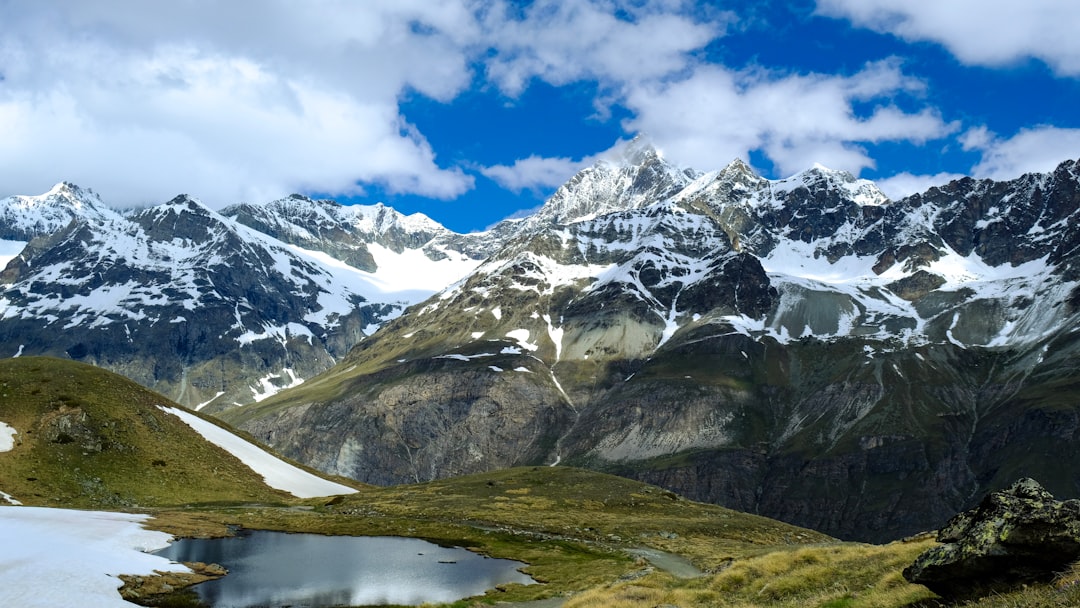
(475, 111)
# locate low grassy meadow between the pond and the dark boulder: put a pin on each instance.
(574, 529)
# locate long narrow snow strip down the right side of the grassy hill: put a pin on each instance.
(277, 474)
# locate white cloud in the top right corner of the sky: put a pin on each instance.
(991, 33)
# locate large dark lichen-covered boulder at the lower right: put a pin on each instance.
(1014, 537)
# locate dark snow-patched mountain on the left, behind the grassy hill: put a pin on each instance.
(188, 302)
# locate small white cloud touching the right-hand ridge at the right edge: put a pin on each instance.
(1032, 151)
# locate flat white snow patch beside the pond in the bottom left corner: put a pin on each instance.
(55, 558)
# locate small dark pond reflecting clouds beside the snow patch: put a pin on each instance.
(271, 569)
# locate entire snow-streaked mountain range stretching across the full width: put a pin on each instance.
(805, 348)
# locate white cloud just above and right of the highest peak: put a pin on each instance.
(715, 115)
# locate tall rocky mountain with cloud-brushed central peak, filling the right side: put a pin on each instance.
(804, 348)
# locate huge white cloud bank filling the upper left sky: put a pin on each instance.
(235, 102)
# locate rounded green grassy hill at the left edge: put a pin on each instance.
(91, 439)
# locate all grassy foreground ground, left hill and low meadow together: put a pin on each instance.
(572, 526)
